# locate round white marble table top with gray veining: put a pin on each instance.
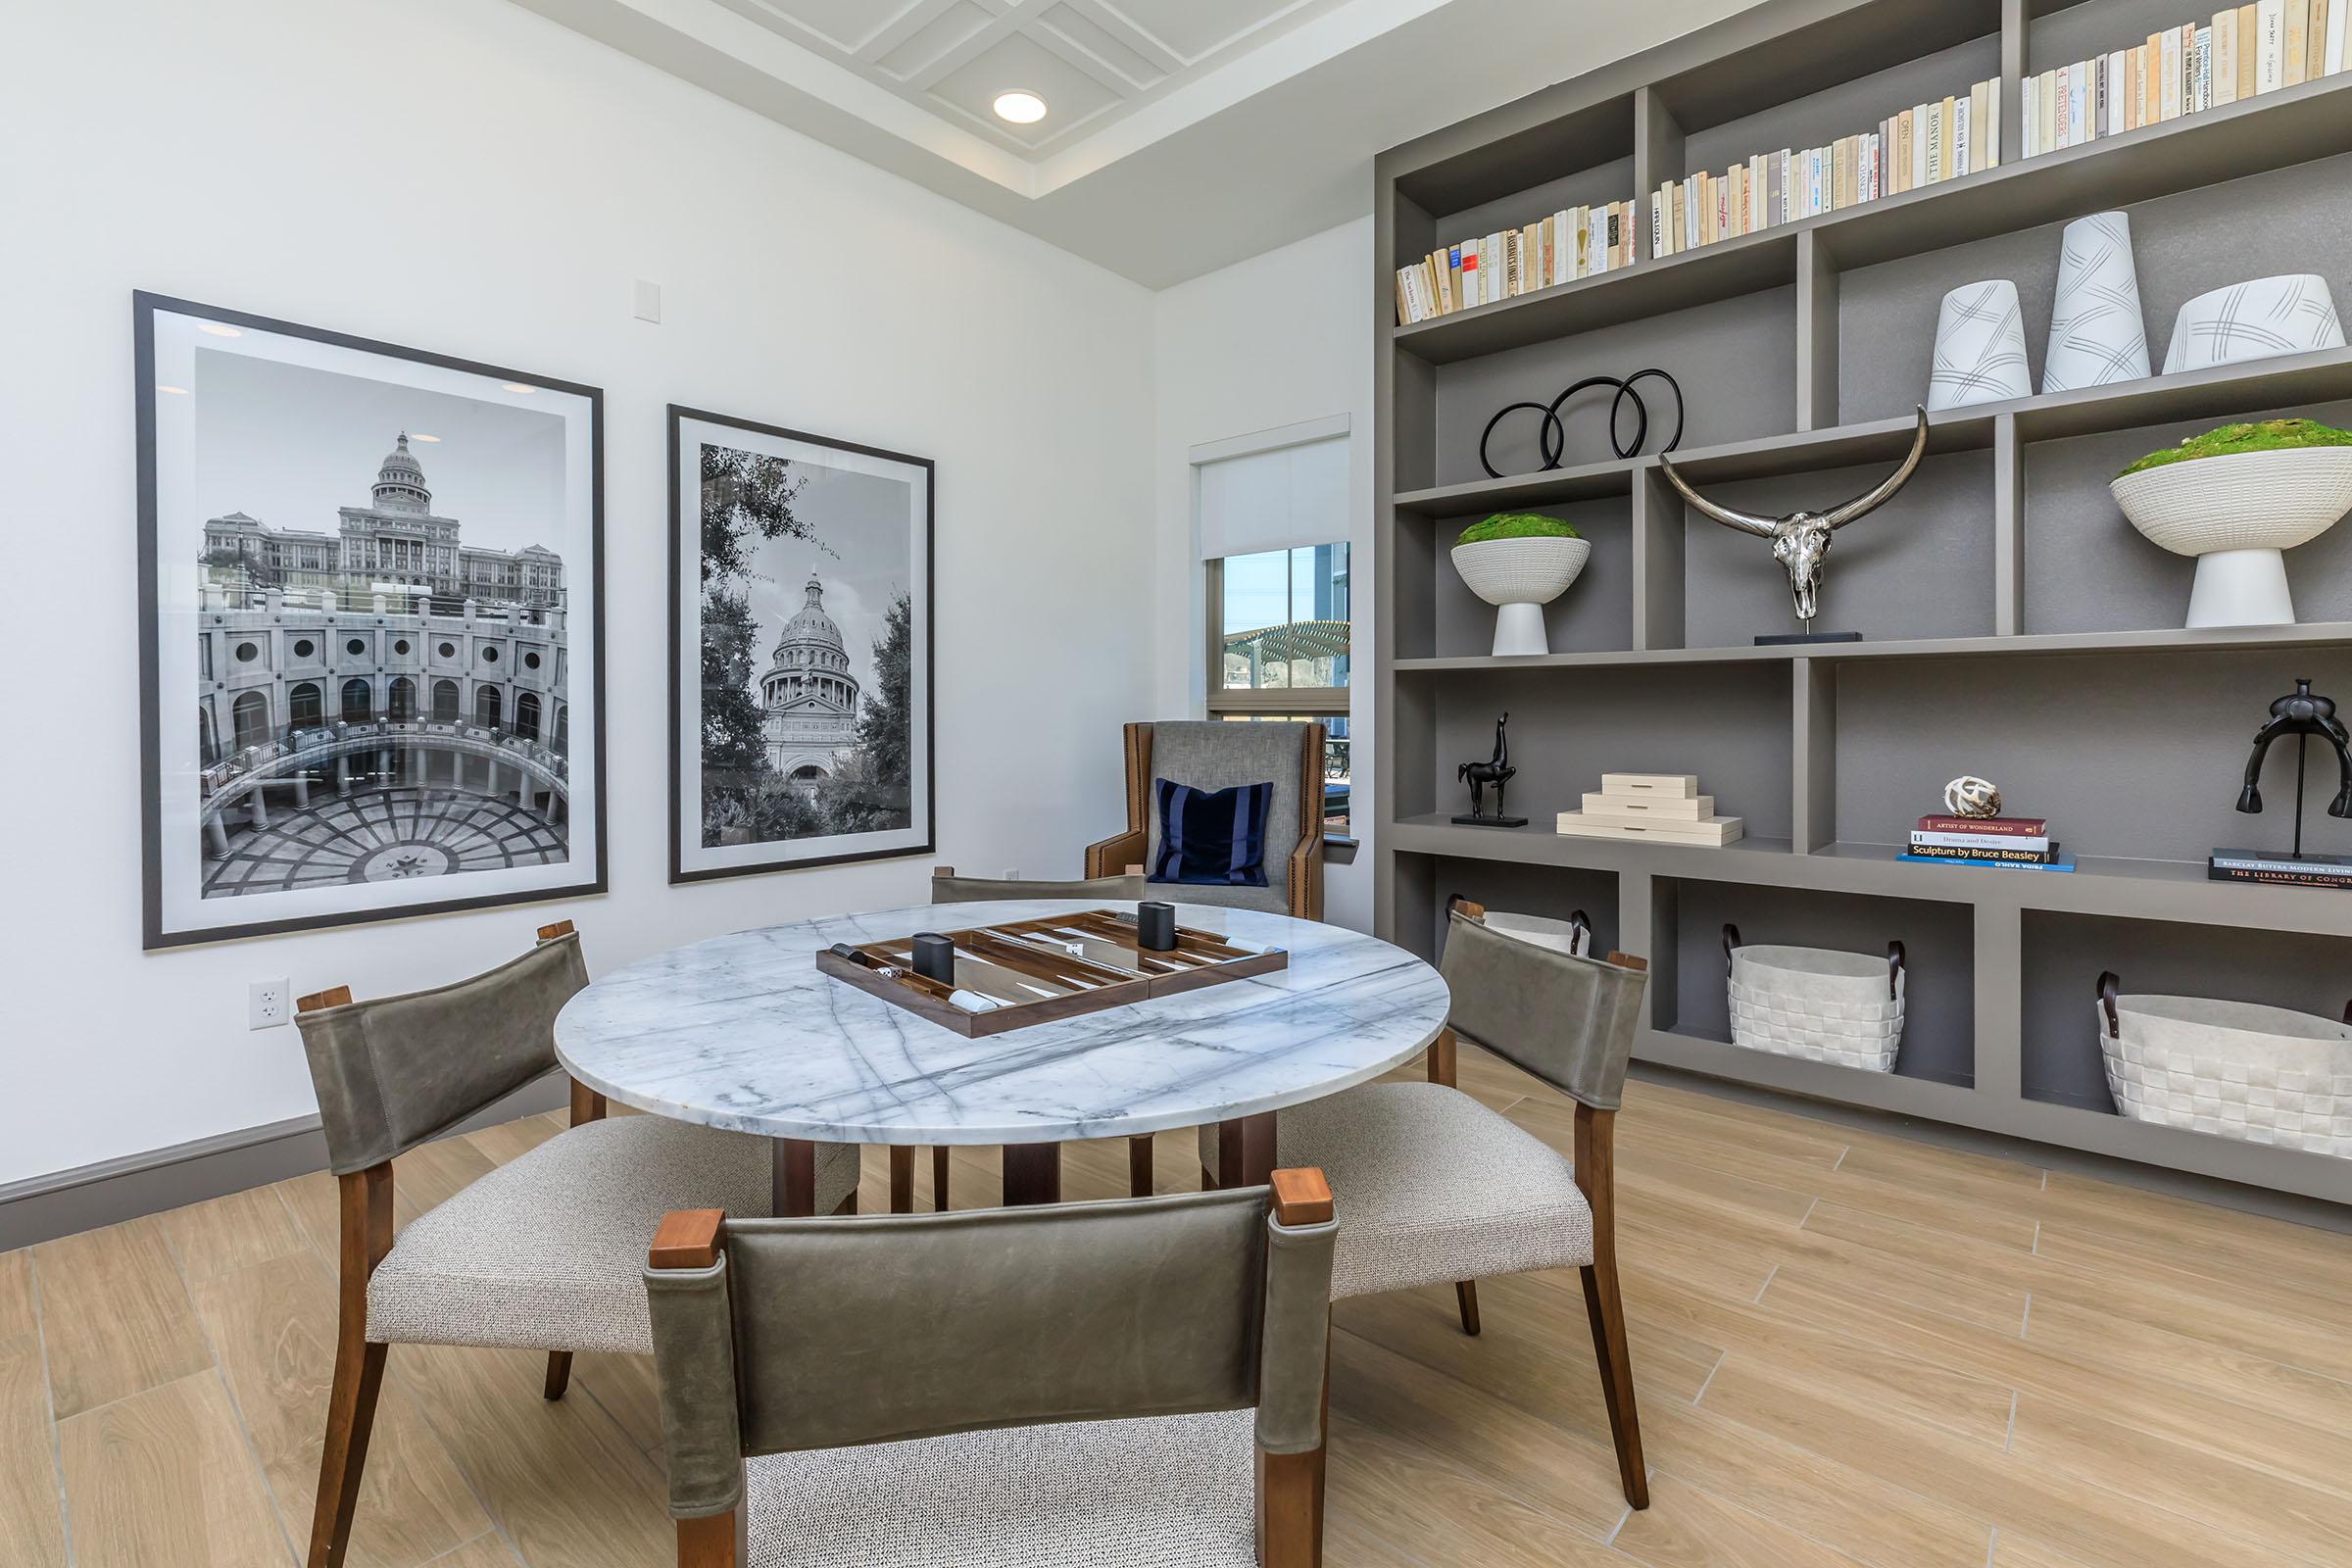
(744, 1033)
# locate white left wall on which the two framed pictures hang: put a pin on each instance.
(467, 177)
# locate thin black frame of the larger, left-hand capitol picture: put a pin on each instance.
(156, 934)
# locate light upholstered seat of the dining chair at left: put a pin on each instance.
(549, 1249)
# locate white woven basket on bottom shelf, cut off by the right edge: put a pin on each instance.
(2231, 1068)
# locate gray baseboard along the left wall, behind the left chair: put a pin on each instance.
(131, 1186)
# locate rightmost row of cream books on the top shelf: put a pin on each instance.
(2243, 53)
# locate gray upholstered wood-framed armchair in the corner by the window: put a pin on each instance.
(1217, 756)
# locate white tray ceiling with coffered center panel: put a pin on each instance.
(1180, 135)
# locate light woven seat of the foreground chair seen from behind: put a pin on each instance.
(1161, 1492)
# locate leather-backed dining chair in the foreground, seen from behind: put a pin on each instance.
(1116, 1383)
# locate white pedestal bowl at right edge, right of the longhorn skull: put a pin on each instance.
(2238, 514)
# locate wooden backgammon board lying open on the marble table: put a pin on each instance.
(1045, 970)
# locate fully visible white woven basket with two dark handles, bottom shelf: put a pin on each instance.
(1817, 1005)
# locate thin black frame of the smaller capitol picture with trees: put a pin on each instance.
(686, 669)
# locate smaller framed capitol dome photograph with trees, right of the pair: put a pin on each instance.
(801, 650)
